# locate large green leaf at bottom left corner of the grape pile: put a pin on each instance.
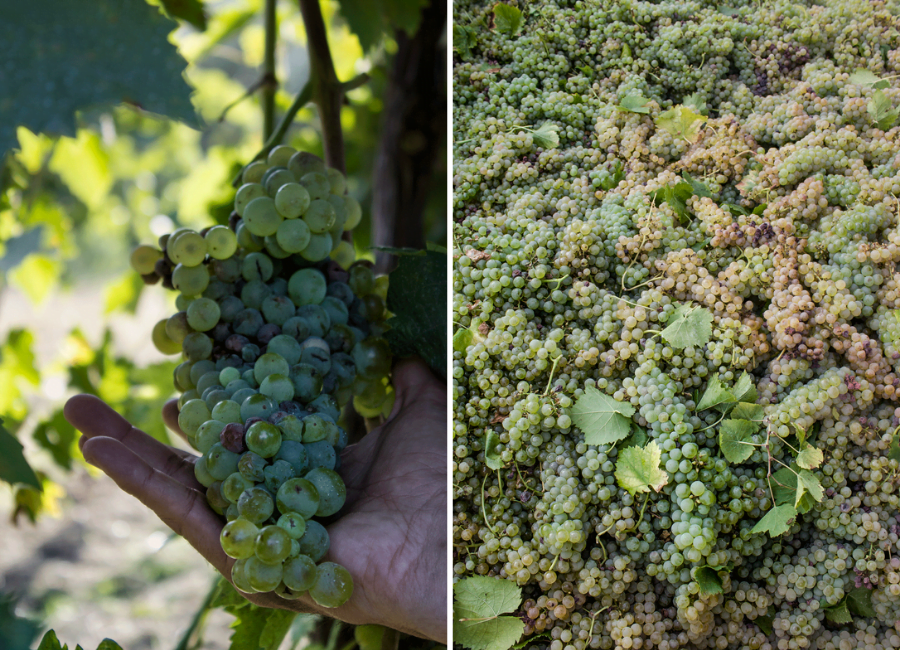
(478, 621)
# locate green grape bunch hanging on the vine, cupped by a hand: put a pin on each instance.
(279, 329)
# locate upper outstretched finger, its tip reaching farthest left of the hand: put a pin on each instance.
(93, 417)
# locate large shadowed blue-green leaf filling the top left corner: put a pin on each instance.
(103, 53)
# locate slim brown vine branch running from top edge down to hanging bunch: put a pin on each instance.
(328, 92)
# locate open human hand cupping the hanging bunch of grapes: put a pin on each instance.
(390, 535)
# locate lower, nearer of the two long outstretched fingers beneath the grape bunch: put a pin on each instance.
(182, 509)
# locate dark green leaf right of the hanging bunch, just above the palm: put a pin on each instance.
(417, 295)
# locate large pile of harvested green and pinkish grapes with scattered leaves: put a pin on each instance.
(677, 307)
